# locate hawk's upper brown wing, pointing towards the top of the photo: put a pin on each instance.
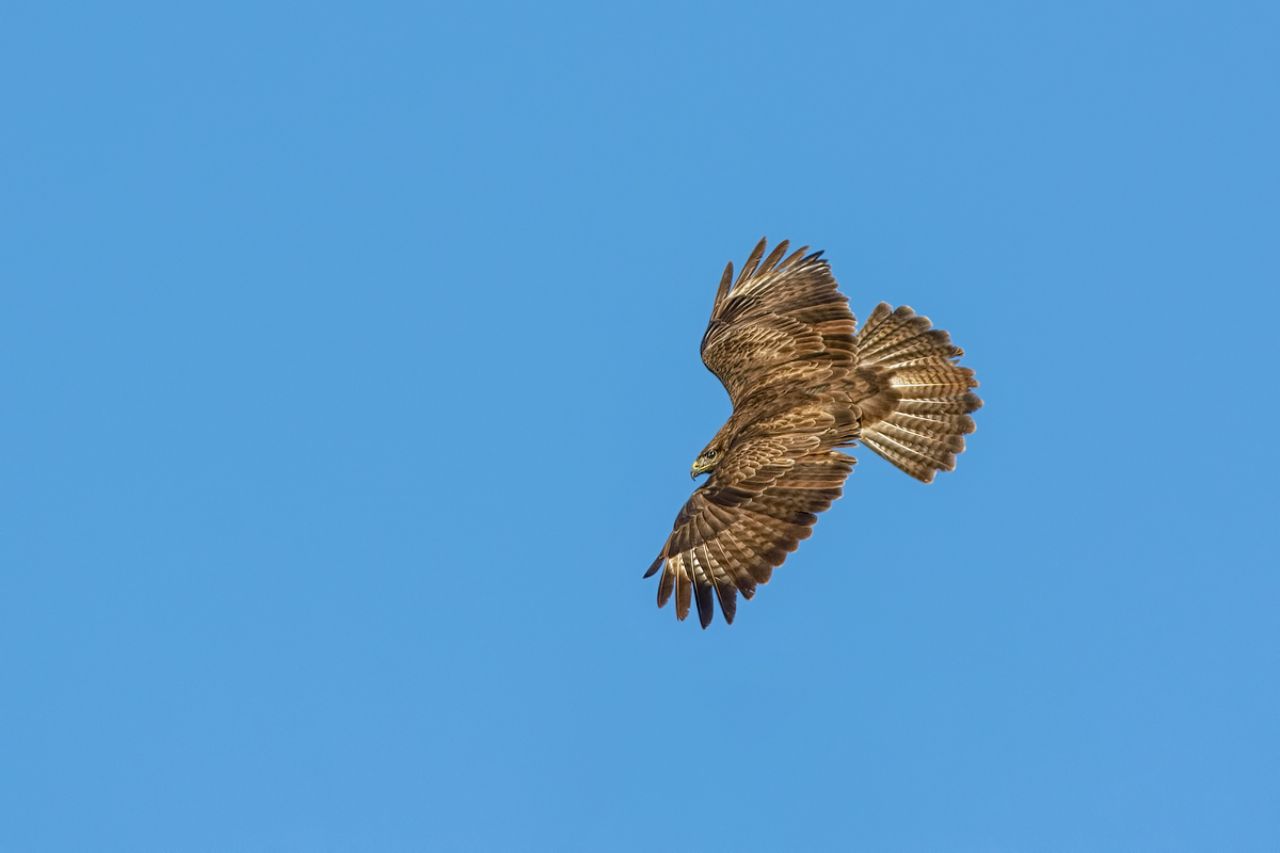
(781, 323)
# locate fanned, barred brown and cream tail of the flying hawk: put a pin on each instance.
(918, 412)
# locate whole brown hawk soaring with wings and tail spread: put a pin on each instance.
(803, 384)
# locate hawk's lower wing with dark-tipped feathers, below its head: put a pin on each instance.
(739, 527)
